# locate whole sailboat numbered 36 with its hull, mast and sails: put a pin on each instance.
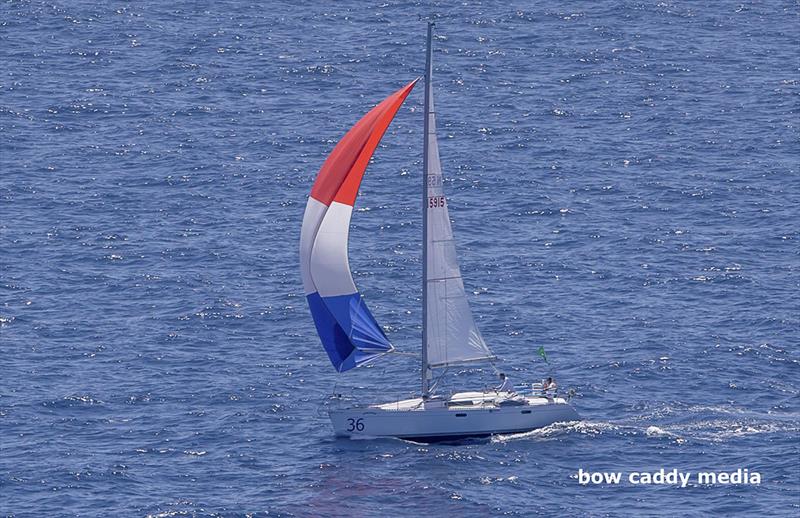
(349, 332)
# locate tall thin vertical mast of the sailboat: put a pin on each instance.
(426, 131)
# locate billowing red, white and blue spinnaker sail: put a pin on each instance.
(348, 331)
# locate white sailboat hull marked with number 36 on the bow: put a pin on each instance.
(416, 421)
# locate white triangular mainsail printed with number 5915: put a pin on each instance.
(451, 334)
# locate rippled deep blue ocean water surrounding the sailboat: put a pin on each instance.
(623, 181)
